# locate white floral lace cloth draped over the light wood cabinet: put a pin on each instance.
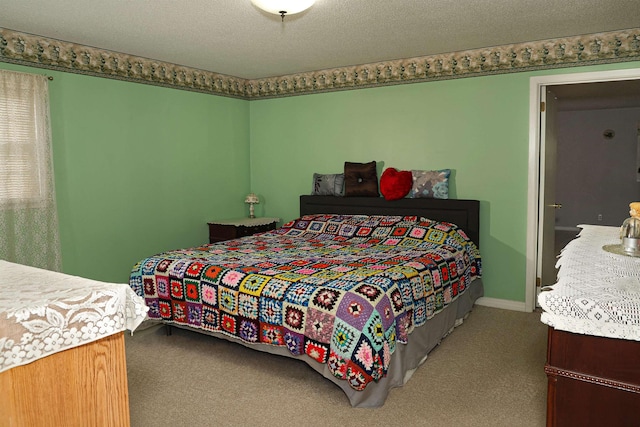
(44, 312)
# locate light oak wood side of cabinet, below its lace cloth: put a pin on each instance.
(84, 386)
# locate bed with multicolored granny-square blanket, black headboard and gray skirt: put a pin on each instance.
(359, 288)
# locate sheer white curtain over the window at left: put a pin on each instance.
(28, 216)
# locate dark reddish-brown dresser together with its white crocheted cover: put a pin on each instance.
(593, 352)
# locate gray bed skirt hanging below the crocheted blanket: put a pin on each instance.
(404, 361)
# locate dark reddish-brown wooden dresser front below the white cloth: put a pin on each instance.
(592, 381)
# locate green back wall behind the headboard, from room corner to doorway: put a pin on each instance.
(478, 127)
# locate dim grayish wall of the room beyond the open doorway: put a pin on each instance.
(596, 176)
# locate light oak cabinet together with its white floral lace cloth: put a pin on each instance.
(64, 361)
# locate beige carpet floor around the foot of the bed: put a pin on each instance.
(488, 372)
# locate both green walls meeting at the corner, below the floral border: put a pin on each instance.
(140, 169)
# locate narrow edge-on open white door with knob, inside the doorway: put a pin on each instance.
(548, 147)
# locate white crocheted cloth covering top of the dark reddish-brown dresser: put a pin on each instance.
(597, 292)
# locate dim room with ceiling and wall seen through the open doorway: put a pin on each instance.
(597, 154)
